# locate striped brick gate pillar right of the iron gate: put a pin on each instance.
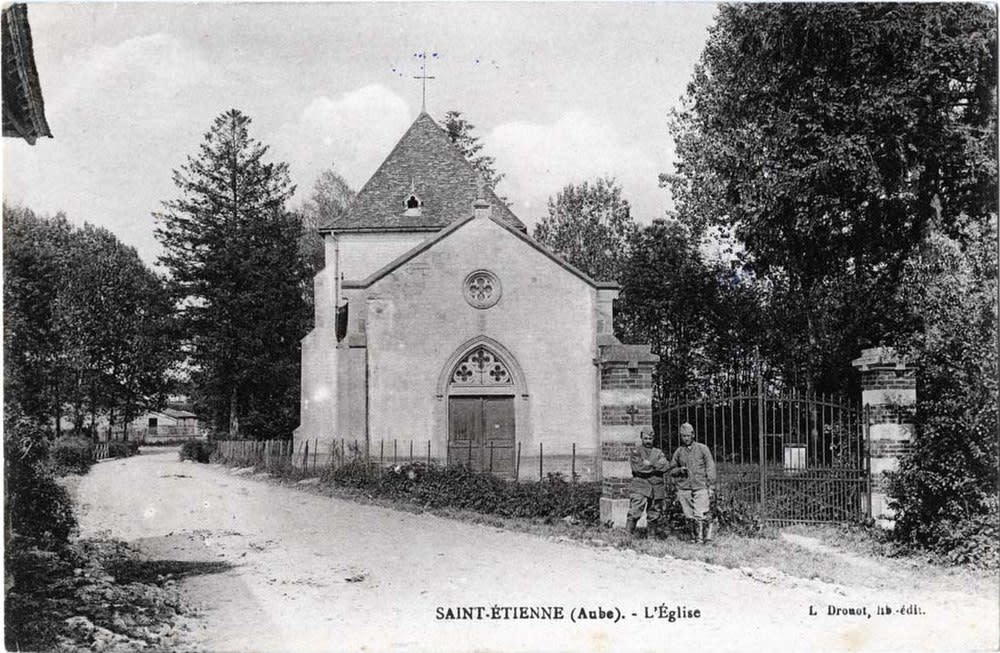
(889, 393)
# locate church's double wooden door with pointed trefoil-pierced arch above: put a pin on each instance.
(481, 421)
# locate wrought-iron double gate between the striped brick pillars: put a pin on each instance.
(796, 457)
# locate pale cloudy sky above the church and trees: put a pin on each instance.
(559, 93)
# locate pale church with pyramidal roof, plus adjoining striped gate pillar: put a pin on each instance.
(444, 329)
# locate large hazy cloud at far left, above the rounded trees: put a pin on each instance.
(113, 113)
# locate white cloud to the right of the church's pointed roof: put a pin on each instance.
(540, 159)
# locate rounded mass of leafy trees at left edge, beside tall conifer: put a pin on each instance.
(88, 325)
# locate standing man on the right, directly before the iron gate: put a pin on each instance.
(693, 468)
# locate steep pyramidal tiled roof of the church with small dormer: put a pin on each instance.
(425, 164)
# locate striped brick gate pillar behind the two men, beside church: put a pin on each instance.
(626, 409)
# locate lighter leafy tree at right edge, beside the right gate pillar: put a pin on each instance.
(945, 492)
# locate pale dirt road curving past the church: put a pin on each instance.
(310, 573)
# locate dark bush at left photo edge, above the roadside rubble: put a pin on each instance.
(37, 506)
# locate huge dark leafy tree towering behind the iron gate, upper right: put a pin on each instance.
(829, 137)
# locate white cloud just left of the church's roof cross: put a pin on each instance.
(354, 132)
